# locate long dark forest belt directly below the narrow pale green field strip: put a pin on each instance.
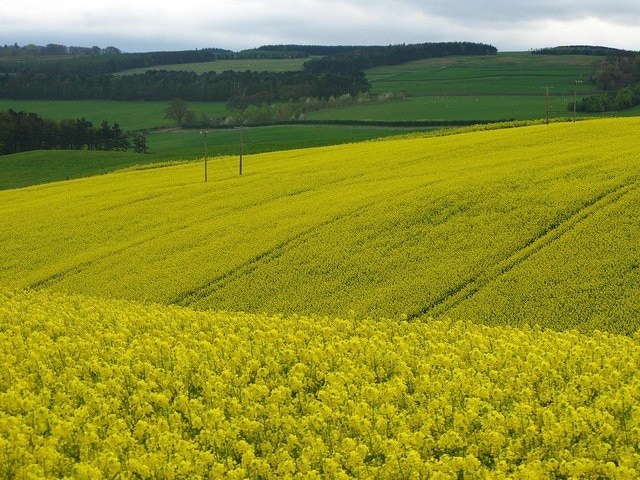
(248, 87)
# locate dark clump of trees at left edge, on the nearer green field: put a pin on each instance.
(21, 132)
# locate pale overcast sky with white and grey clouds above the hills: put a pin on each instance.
(142, 25)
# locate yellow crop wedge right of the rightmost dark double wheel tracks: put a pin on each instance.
(600, 285)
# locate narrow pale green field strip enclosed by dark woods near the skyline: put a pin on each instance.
(240, 65)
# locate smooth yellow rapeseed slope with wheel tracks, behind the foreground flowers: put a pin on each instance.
(514, 226)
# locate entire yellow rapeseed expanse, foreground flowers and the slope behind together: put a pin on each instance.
(462, 306)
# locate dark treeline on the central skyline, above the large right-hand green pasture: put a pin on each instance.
(360, 58)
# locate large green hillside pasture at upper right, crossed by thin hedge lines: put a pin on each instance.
(492, 87)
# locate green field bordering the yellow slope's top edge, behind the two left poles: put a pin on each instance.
(178, 145)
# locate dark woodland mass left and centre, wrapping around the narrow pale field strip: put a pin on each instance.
(93, 76)
